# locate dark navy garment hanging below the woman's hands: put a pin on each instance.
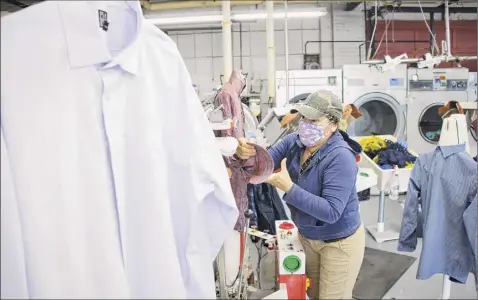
(267, 206)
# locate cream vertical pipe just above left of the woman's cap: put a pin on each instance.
(270, 52)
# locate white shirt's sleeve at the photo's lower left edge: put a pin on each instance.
(13, 279)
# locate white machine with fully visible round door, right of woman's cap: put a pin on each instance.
(379, 96)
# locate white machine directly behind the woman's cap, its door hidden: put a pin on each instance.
(304, 82)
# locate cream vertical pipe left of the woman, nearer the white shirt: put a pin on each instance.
(226, 39)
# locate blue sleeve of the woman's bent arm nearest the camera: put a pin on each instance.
(338, 184)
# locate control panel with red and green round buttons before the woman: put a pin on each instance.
(290, 252)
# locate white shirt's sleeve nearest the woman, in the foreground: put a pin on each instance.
(203, 208)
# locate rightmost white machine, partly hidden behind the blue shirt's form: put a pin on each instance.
(428, 90)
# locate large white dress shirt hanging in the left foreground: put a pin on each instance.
(113, 202)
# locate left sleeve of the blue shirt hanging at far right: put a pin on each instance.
(408, 231)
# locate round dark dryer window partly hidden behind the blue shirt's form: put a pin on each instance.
(430, 123)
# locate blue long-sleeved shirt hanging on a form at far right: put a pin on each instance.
(444, 183)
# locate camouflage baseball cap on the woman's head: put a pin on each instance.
(319, 104)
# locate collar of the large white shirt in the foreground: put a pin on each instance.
(84, 40)
